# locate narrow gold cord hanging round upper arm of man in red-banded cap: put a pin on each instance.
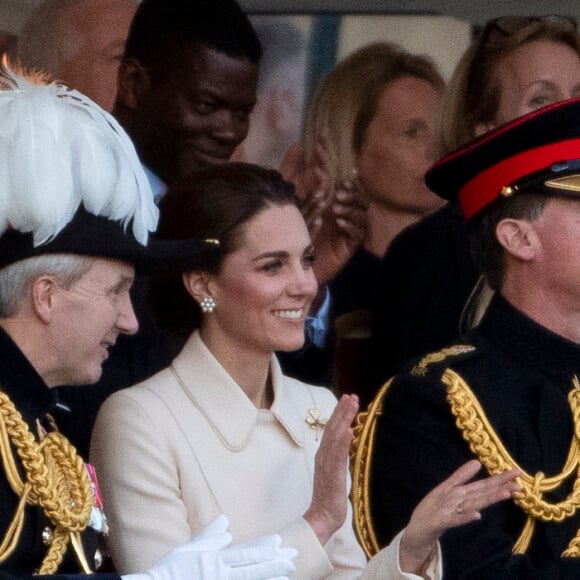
(360, 465)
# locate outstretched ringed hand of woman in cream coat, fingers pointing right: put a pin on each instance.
(452, 503)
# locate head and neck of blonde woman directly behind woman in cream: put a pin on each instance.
(373, 119)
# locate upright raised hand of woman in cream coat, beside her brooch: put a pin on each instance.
(327, 510)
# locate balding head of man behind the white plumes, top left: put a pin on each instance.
(79, 42)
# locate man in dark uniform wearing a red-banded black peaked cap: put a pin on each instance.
(509, 393)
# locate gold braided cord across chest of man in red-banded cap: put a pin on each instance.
(489, 449)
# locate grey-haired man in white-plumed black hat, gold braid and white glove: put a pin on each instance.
(76, 212)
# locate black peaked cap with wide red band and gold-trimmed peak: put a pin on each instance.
(537, 152)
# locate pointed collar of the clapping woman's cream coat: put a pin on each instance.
(226, 407)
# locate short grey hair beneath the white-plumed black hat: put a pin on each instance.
(16, 278)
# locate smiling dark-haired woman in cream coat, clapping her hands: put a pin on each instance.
(222, 430)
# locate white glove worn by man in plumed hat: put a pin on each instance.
(208, 557)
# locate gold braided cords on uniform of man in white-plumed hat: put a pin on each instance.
(55, 480)
